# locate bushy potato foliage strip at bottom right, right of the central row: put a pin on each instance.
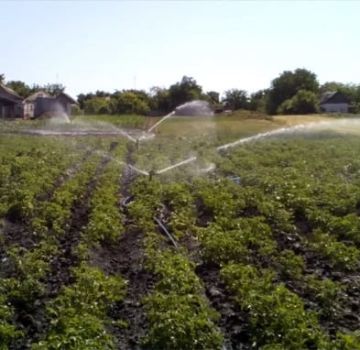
(278, 317)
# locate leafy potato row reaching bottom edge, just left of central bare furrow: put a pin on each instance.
(78, 315)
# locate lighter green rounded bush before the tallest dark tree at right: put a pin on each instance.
(303, 102)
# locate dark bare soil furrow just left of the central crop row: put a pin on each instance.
(126, 258)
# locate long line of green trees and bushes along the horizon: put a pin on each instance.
(292, 92)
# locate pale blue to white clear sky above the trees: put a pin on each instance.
(99, 45)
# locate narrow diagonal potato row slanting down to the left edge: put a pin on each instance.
(26, 269)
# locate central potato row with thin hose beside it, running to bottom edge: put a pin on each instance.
(178, 312)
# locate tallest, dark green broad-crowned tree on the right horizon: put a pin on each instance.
(287, 85)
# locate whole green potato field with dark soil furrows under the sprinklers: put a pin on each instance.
(254, 247)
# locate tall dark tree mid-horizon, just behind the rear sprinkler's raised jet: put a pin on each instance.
(184, 91)
